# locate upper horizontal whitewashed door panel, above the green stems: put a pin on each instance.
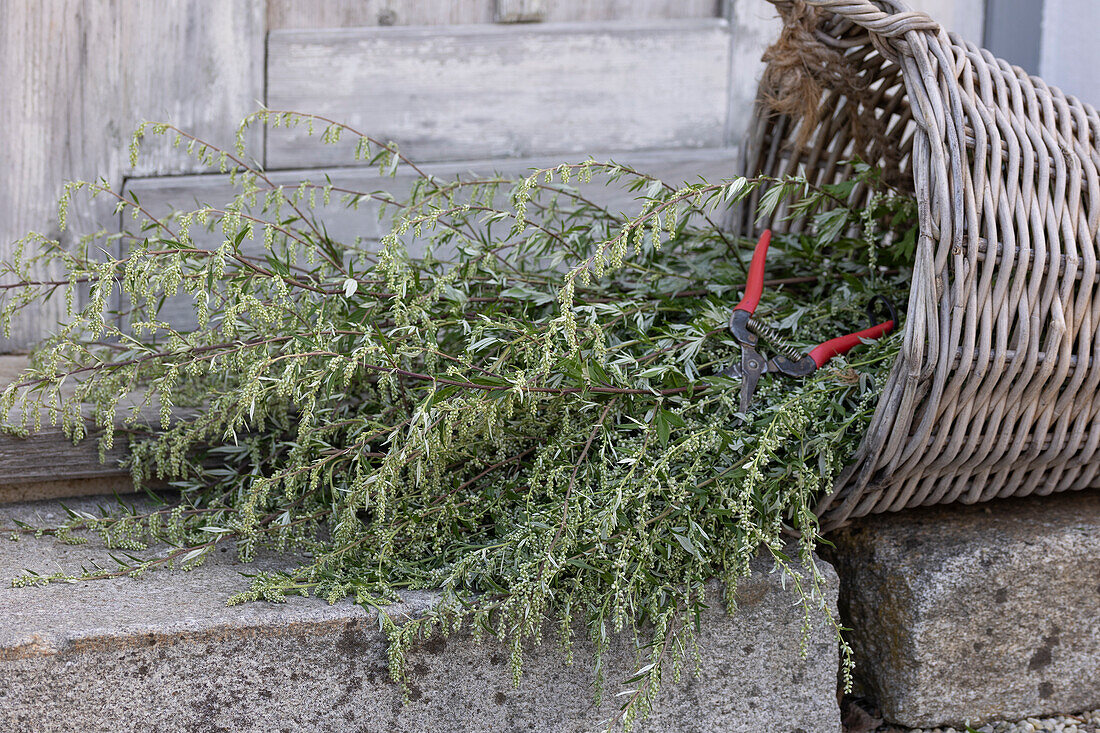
(504, 91)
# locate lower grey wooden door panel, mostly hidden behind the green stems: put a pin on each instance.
(164, 194)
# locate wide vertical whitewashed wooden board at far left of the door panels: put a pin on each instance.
(80, 75)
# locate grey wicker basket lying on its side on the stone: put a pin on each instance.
(995, 392)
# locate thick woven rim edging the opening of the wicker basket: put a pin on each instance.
(932, 69)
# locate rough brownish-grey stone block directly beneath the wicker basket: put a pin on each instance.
(977, 614)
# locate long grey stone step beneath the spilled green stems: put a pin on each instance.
(164, 653)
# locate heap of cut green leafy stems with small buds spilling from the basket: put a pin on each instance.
(529, 417)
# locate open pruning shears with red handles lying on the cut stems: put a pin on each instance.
(749, 331)
